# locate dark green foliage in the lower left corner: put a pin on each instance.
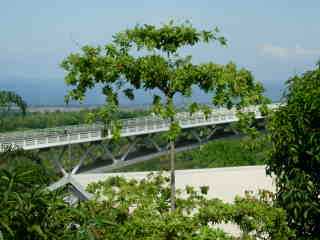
(25, 205)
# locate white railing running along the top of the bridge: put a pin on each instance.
(52, 137)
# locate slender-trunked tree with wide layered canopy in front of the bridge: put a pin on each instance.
(147, 57)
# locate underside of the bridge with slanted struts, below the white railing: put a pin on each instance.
(107, 155)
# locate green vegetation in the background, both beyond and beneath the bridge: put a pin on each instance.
(207, 157)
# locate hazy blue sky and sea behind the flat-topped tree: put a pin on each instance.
(273, 39)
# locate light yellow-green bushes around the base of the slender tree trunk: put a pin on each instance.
(141, 210)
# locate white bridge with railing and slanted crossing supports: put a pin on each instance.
(66, 136)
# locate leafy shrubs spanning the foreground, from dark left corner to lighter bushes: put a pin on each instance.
(129, 210)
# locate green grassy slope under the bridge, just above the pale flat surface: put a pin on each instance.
(219, 153)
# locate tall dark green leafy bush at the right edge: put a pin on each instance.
(295, 156)
